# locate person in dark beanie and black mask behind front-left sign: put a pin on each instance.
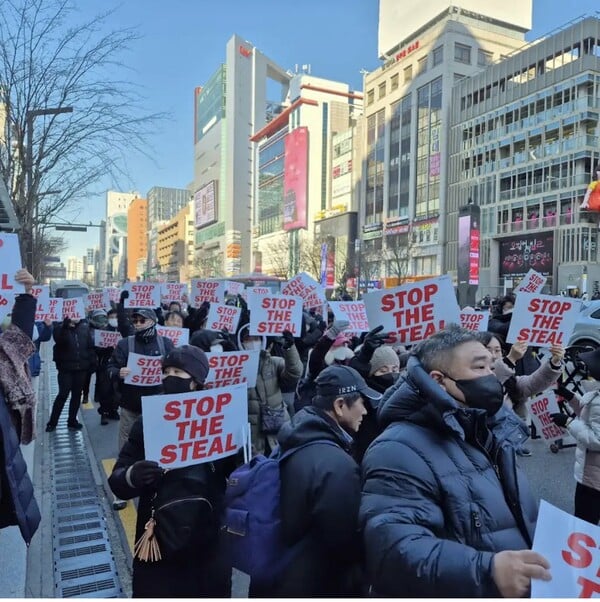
(190, 564)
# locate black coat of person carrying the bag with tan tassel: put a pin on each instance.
(187, 575)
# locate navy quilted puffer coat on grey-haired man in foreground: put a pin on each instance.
(441, 495)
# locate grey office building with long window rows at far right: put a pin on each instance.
(524, 145)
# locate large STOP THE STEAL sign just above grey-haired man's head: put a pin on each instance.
(413, 312)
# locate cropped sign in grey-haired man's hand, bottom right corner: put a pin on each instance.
(572, 548)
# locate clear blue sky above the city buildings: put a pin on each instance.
(183, 42)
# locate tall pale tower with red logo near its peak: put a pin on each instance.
(239, 99)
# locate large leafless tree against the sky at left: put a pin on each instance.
(49, 63)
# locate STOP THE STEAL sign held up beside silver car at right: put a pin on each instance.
(543, 320)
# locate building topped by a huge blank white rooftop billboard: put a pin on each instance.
(407, 106)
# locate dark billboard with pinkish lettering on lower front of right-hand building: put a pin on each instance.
(519, 254)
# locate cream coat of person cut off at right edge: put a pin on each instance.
(585, 429)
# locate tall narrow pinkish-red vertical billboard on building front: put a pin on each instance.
(295, 179)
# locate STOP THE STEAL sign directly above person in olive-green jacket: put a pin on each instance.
(272, 314)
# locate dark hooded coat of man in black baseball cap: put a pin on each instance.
(320, 498)
